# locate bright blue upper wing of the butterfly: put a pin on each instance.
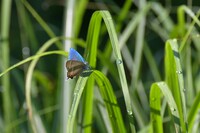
(74, 55)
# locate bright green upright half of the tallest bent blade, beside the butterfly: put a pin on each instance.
(91, 55)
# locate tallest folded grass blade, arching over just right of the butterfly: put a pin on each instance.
(92, 48)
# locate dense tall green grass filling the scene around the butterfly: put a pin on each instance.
(144, 77)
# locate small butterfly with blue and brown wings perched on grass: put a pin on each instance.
(75, 64)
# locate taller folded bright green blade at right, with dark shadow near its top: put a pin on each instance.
(174, 79)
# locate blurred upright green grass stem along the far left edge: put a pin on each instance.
(8, 105)
